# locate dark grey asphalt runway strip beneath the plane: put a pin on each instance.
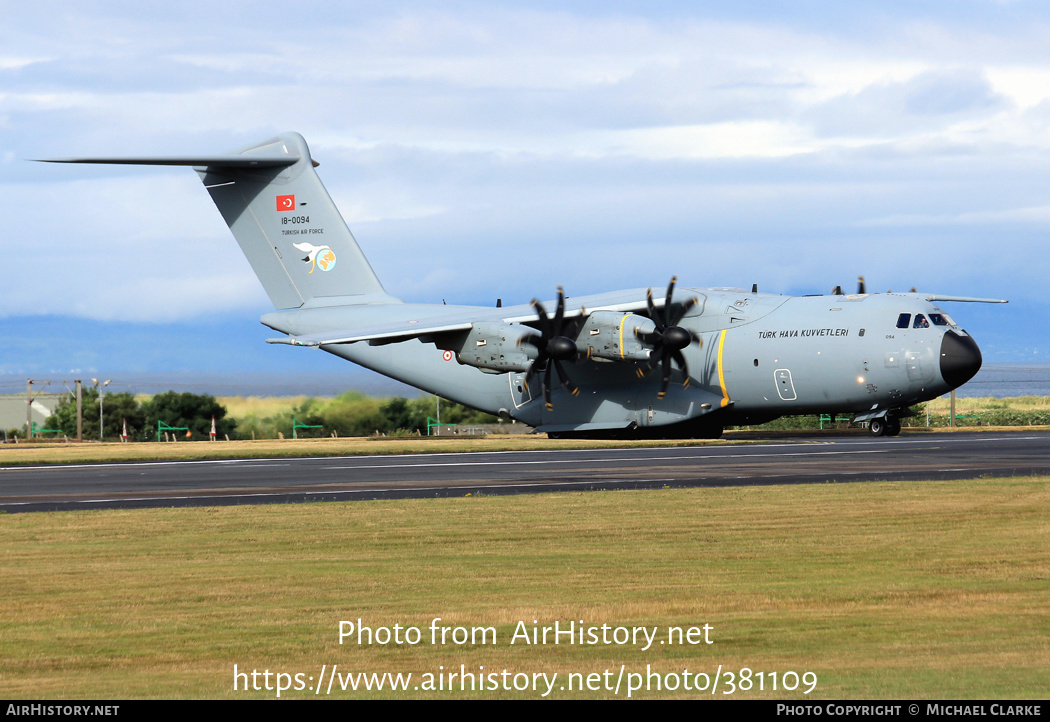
(279, 481)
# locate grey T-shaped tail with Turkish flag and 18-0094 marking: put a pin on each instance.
(286, 223)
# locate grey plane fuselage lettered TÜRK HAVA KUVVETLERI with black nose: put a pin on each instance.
(758, 357)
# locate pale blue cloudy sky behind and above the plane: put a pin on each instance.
(485, 151)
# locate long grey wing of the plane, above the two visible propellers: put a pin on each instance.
(419, 322)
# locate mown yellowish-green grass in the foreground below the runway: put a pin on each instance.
(883, 590)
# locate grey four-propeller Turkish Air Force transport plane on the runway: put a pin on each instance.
(685, 363)
